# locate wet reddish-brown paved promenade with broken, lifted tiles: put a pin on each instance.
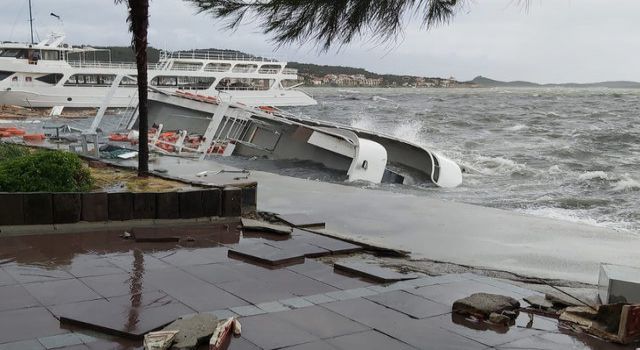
(96, 290)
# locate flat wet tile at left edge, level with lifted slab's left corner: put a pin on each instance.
(24, 324)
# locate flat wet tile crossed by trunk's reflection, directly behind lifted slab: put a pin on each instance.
(118, 285)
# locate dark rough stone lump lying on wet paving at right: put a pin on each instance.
(482, 305)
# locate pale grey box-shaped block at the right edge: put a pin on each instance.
(619, 284)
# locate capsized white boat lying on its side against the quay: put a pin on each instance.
(187, 124)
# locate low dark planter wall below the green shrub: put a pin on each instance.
(43, 208)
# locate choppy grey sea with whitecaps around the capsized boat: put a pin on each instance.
(567, 154)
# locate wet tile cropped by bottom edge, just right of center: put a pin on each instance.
(368, 340)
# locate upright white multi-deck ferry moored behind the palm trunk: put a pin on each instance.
(51, 73)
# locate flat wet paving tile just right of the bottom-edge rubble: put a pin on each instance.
(269, 332)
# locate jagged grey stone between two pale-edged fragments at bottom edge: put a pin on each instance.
(193, 330)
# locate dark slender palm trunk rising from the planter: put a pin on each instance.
(140, 25)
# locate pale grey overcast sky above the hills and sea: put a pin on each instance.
(551, 41)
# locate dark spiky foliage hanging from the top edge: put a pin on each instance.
(328, 22)
